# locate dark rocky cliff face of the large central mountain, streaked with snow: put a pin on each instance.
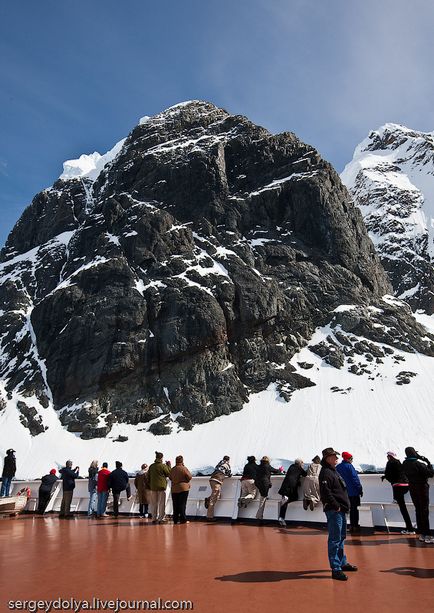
(186, 276)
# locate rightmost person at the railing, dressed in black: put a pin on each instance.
(418, 470)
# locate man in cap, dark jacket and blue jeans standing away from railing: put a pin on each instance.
(336, 503)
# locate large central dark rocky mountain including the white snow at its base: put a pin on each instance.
(205, 287)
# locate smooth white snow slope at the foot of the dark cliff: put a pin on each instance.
(364, 415)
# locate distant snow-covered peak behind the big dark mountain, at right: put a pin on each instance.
(391, 179)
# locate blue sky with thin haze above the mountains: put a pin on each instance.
(76, 76)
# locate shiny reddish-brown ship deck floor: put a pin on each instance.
(220, 567)
